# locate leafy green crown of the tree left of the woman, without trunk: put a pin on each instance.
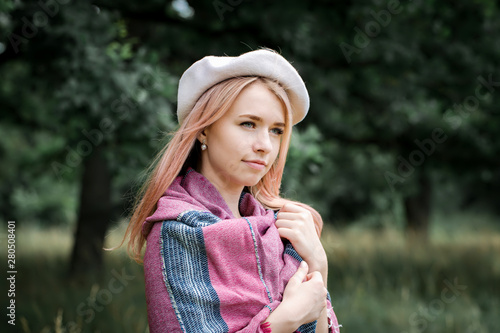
(90, 86)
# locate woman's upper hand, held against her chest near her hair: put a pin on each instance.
(296, 224)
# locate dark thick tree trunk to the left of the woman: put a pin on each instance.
(93, 216)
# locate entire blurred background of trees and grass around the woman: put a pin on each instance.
(399, 153)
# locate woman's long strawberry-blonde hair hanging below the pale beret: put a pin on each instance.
(182, 152)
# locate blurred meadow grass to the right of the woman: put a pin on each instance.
(380, 284)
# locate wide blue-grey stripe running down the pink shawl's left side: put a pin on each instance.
(185, 271)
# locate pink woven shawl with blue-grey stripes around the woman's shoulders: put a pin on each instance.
(206, 271)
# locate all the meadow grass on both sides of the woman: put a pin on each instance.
(378, 283)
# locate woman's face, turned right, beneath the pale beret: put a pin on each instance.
(244, 143)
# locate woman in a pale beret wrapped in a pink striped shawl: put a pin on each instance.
(225, 253)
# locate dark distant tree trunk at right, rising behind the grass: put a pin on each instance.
(417, 210)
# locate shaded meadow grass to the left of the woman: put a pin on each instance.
(46, 301)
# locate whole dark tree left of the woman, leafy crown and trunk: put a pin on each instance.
(101, 100)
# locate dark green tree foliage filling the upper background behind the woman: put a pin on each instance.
(108, 71)
